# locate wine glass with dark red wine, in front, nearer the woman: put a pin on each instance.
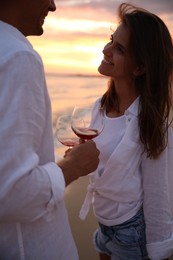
(83, 124)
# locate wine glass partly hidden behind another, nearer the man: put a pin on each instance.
(64, 132)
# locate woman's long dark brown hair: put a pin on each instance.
(152, 48)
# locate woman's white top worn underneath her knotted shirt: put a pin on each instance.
(110, 211)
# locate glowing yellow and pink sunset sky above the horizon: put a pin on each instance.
(75, 34)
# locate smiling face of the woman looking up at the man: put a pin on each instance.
(118, 62)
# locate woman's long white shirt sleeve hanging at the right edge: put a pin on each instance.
(158, 202)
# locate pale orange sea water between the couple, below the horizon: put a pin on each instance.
(67, 91)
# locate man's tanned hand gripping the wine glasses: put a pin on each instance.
(80, 161)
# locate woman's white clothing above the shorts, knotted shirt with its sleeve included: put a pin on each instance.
(126, 179)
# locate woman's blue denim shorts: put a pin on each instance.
(126, 241)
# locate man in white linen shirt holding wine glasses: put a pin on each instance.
(33, 219)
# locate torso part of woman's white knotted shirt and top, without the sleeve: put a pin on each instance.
(115, 188)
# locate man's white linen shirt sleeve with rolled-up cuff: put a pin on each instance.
(31, 183)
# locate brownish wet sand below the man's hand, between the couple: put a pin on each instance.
(82, 230)
